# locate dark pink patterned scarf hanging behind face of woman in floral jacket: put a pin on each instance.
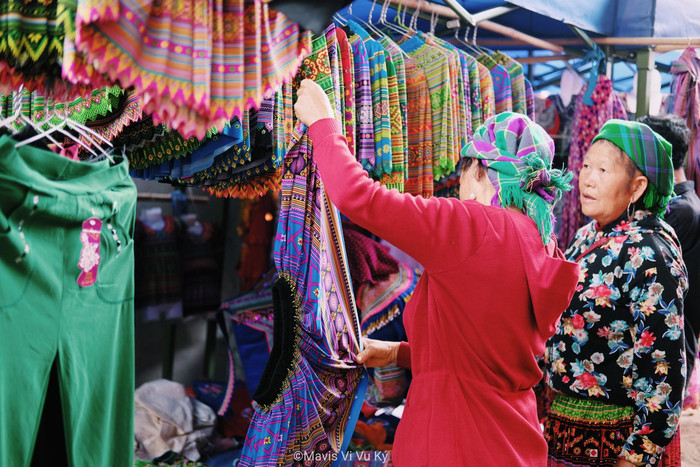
(587, 122)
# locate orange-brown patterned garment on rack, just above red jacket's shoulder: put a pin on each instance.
(419, 124)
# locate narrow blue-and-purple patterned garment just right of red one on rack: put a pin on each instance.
(363, 104)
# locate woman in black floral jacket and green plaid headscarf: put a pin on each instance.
(616, 362)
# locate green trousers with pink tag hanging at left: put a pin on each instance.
(67, 291)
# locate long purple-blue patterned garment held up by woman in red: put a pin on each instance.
(311, 390)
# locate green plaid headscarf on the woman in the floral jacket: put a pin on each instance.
(650, 152)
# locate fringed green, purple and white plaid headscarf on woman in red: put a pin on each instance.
(518, 154)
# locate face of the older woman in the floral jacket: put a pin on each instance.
(604, 183)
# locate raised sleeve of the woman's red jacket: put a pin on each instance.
(435, 231)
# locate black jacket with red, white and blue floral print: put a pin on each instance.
(621, 339)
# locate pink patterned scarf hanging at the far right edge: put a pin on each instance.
(684, 101)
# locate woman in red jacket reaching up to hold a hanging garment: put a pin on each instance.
(493, 288)
